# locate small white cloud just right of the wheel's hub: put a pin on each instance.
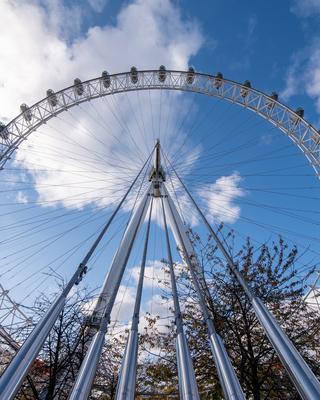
(219, 198)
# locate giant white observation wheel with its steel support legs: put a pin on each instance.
(162, 171)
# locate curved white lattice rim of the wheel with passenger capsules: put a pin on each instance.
(292, 123)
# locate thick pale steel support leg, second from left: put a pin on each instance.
(82, 387)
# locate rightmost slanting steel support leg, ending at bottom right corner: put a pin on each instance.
(300, 373)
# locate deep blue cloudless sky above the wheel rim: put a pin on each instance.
(259, 41)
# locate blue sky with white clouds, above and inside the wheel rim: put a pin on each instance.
(274, 44)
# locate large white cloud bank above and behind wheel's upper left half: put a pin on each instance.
(68, 152)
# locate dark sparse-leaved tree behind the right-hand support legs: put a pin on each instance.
(273, 276)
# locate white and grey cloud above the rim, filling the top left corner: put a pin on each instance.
(34, 57)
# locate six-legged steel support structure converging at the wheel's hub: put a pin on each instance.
(301, 375)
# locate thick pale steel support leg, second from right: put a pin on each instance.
(228, 379)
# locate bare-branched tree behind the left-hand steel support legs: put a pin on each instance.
(55, 370)
